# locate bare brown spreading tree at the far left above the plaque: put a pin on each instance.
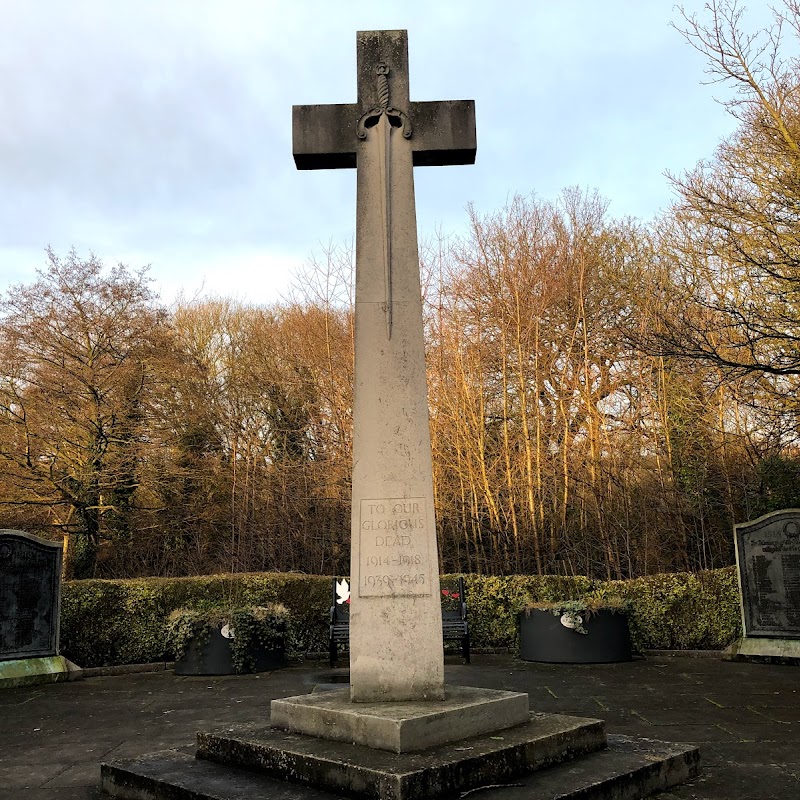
(77, 349)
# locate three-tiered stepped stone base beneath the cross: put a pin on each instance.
(486, 747)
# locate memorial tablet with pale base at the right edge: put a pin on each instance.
(768, 563)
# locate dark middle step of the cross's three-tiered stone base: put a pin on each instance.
(366, 772)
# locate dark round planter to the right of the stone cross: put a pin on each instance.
(543, 637)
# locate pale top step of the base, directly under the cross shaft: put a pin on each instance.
(401, 727)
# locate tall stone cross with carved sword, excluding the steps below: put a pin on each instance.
(395, 613)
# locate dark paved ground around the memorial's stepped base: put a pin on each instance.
(745, 717)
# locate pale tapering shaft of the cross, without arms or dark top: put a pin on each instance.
(395, 613)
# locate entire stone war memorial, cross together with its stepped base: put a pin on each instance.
(398, 732)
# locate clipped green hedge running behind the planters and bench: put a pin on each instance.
(105, 622)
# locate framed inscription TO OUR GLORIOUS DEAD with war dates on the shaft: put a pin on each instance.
(394, 556)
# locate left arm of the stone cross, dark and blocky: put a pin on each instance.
(324, 136)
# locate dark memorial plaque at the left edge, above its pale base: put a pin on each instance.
(30, 592)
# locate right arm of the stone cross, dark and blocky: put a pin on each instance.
(444, 132)
